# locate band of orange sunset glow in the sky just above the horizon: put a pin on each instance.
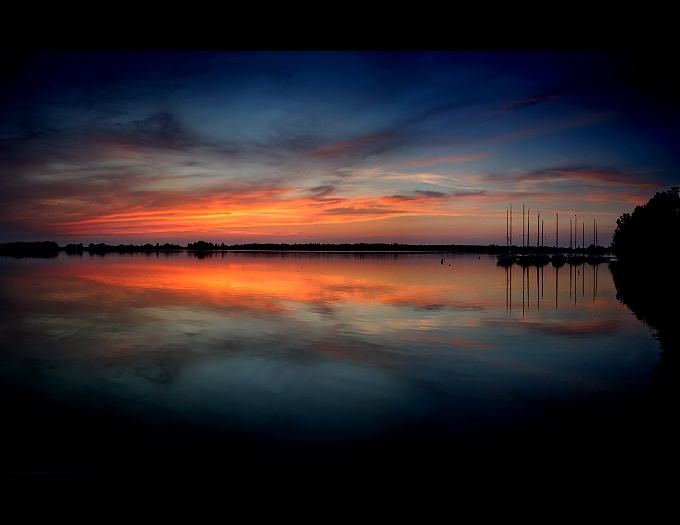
(333, 215)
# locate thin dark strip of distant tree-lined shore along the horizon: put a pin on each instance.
(52, 249)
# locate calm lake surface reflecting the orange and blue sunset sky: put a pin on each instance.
(301, 351)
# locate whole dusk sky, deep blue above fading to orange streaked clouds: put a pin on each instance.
(330, 146)
